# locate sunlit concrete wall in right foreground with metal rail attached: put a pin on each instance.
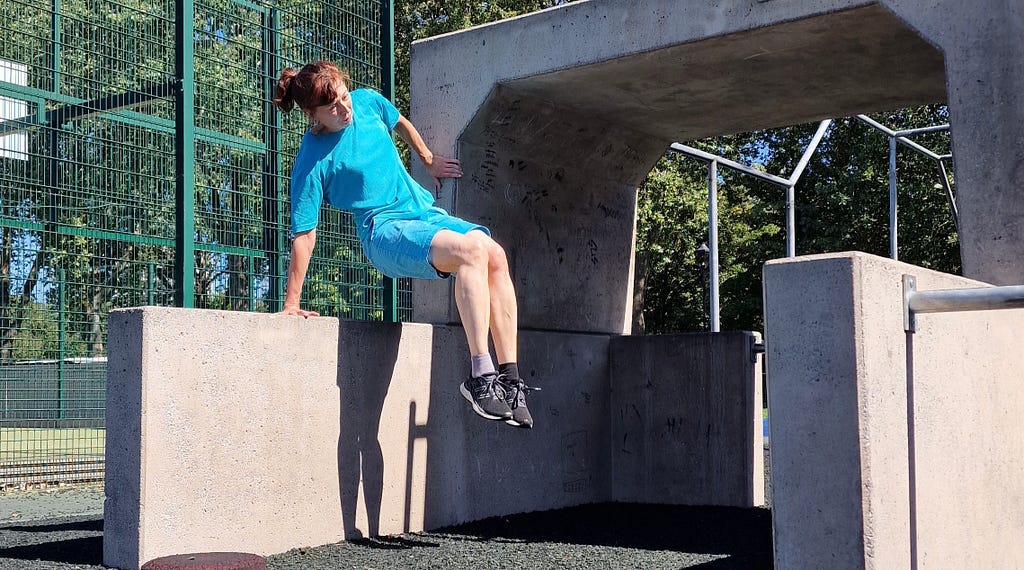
(890, 450)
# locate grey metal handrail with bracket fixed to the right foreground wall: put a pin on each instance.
(955, 300)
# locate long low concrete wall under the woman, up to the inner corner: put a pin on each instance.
(261, 433)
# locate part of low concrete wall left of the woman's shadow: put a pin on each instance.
(209, 415)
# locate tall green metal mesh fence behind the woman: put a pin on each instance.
(142, 162)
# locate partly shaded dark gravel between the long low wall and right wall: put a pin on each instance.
(592, 537)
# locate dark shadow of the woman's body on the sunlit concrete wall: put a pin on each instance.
(367, 356)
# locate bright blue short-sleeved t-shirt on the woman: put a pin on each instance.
(357, 169)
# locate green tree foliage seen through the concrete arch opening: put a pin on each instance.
(842, 205)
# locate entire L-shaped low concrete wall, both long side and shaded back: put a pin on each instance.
(245, 432)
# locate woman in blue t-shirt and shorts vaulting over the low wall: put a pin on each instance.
(349, 158)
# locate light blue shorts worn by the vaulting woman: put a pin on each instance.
(402, 248)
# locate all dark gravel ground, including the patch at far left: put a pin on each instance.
(595, 537)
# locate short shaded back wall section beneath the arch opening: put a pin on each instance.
(687, 417)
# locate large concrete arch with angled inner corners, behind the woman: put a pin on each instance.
(559, 116)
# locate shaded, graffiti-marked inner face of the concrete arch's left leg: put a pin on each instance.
(565, 210)
